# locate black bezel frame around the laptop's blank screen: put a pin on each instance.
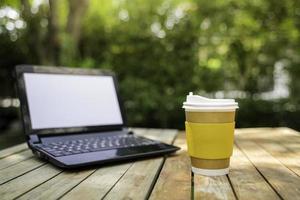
(21, 69)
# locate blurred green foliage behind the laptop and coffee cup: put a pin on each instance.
(161, 50)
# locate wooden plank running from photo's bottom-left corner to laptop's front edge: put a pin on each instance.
(24, 183)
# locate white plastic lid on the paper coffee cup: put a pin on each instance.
(198, 103)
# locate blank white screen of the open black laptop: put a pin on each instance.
(65, 101)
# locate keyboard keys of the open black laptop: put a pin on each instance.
(93, 144)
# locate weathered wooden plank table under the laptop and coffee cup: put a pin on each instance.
(265, 165)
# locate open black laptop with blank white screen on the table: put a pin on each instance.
(74, 117)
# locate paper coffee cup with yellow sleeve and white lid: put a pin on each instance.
(210, 127)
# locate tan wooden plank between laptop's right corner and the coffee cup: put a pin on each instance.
(175, 175)
